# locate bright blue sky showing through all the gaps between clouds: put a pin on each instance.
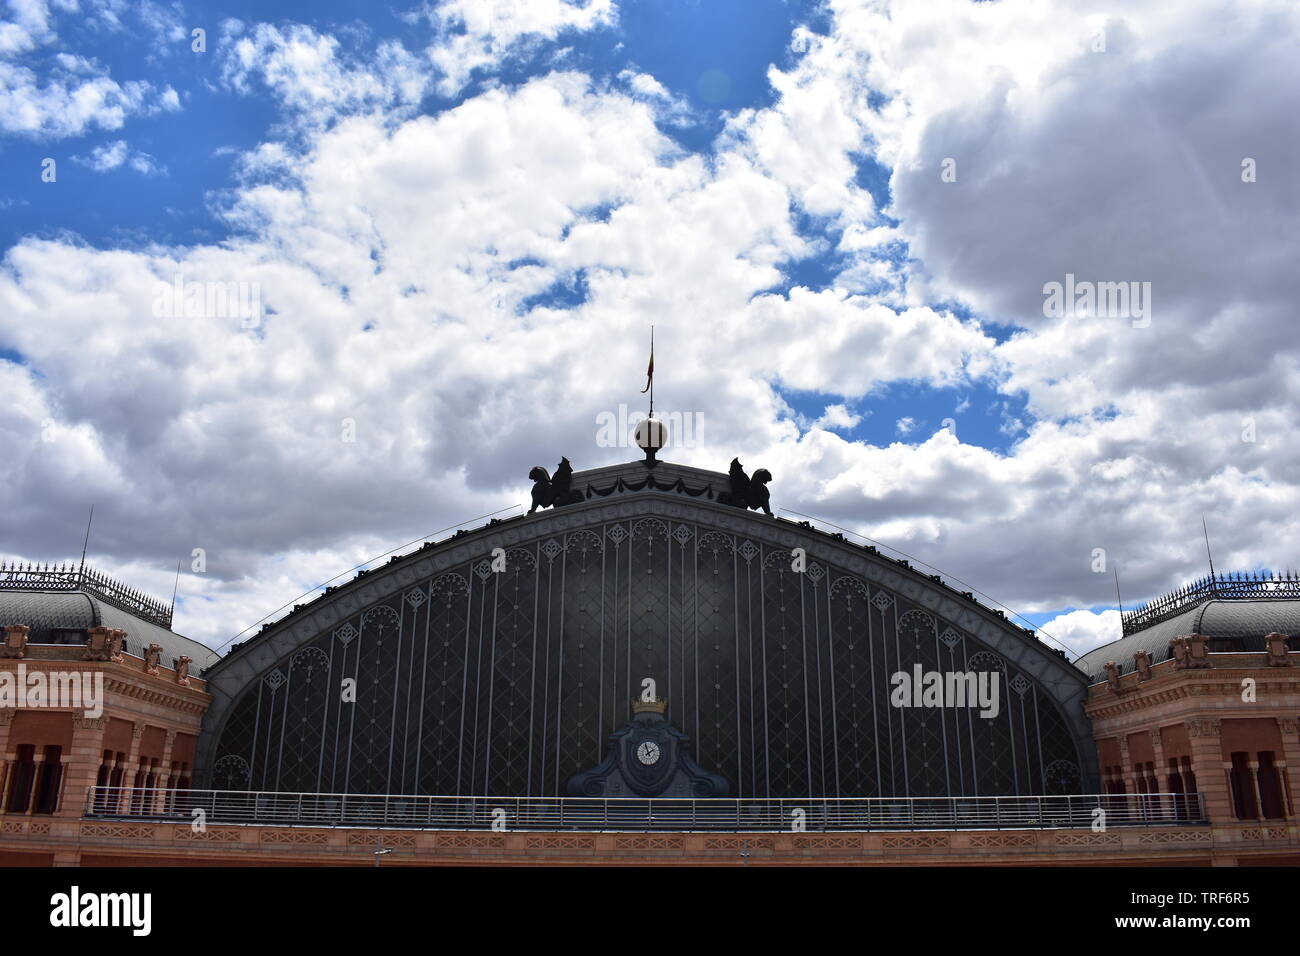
(716, 57)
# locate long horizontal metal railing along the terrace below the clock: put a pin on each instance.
(627, 814)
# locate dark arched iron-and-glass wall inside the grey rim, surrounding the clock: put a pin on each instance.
(488, 681)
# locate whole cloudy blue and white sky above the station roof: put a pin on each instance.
(419, 249)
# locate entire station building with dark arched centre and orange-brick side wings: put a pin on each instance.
(648, 669)
